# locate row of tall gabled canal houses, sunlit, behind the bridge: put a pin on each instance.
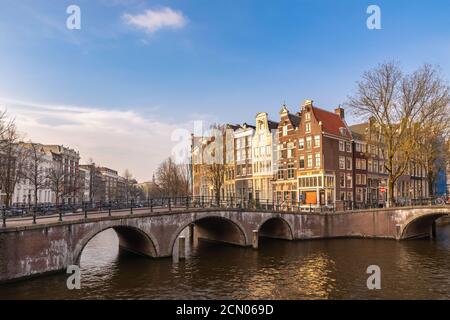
(310, 158)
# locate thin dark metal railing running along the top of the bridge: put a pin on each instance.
(168, 204)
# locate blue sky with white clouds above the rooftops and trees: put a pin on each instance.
(138, 73)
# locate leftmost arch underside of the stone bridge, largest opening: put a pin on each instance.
(131, 238)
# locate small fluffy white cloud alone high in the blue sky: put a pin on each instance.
(154, 20)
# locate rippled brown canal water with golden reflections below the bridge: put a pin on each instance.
(316, 269)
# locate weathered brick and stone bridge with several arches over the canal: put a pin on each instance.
(50, 246)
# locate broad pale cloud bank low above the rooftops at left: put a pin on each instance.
(113, 138)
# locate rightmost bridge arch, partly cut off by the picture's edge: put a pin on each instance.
(420, 225)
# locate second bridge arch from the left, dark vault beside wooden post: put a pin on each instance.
(214, 227)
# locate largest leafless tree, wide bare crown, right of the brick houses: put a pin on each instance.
(399, 103)
